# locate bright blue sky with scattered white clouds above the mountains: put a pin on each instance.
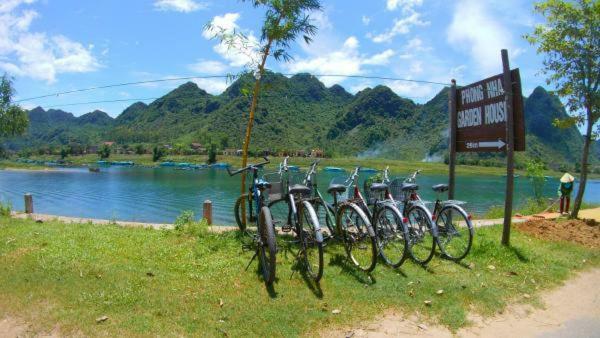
(51, 46)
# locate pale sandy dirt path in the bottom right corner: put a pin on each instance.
(572, 310)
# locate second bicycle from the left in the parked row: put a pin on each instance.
(300, 217)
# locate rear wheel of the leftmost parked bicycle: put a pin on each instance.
(267, 248)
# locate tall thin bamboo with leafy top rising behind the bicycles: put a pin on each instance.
(284, 22)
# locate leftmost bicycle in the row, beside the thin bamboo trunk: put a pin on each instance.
(264, 240)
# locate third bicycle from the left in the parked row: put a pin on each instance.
(345, 220)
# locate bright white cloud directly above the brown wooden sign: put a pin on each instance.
(477, 32)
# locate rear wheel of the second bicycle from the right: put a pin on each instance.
(420, 235)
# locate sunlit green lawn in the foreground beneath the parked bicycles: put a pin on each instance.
(171, 283)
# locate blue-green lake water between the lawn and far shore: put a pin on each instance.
(160, 194)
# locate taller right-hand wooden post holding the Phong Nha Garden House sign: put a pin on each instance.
(510, 147)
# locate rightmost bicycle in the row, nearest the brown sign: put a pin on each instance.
(452, 223)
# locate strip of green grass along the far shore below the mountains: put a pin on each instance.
(396, 166)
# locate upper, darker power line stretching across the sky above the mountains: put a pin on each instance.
(219, 76)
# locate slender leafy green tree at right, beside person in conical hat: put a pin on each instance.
(570, 43)
